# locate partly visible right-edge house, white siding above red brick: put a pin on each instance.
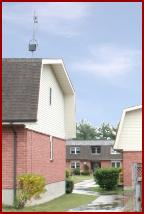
(129, 141)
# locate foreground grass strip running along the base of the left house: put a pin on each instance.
(61, 204)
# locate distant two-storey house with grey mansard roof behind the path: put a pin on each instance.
(98, 153)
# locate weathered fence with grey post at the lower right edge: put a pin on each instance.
(137, 181)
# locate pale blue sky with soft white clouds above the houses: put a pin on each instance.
(100, 44)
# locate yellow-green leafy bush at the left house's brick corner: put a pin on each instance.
(29, 186)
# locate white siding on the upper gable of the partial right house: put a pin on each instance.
(130, 137)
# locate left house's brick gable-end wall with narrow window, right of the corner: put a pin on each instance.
(38, 156)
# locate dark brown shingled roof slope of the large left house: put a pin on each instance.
(20, 89)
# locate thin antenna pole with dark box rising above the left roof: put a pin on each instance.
(33, 42)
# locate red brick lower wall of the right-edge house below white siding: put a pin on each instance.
(128, 159)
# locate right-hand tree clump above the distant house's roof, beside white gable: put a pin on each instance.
(106, 132)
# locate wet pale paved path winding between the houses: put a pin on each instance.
(102, 203)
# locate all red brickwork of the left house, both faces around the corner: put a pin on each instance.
(33, 156)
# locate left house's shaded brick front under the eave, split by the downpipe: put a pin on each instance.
(7, 155)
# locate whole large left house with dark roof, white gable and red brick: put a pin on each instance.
(38, 116)
